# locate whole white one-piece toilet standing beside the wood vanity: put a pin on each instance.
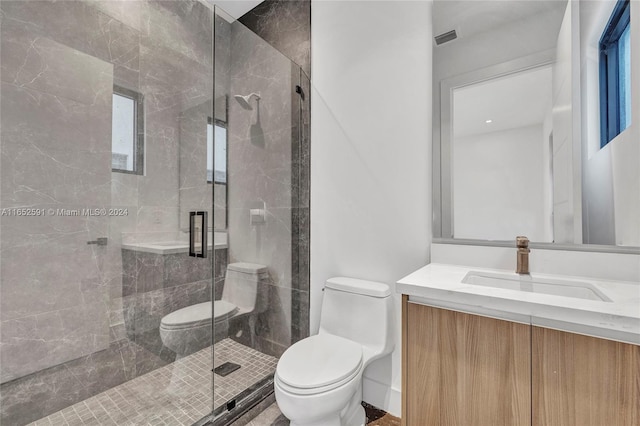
(318, 380)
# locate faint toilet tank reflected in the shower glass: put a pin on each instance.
(244, 286)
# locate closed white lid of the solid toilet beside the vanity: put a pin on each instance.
(319, 361)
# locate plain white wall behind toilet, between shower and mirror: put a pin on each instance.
(371, 154)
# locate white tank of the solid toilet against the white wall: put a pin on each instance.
(361, 311)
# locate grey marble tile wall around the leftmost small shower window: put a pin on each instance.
(64, 305)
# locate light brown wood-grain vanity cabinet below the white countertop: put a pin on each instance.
(462, 369)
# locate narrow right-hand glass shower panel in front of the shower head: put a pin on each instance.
(258, 100)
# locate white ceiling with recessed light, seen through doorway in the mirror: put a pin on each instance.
(516, 100)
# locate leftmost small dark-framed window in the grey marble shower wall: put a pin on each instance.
(127, 131)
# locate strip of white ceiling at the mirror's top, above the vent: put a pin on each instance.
(469, 17)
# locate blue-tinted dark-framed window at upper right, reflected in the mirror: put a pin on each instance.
(615, 74)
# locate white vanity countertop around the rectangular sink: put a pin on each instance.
(441, 285)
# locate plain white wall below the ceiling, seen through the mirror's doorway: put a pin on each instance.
(495, 197)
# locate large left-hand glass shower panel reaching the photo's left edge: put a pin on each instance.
(103, 142)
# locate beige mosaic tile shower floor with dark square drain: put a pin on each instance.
(176, 394)
